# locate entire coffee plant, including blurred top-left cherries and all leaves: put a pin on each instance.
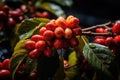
(59, 48)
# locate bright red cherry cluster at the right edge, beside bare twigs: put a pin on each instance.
(112, 41)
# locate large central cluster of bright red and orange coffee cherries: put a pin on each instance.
(56, 34)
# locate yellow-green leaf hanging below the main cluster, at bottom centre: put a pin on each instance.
(72, 71)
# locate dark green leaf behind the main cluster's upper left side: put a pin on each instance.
(29, 24)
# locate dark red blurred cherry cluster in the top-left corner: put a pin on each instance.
(9, 17)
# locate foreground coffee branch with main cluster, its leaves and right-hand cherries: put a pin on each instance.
(60, 49)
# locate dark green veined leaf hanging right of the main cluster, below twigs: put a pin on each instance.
(99, 56)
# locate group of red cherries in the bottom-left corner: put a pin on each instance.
(5, 69)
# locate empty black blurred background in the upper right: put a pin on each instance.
(93, 12)
